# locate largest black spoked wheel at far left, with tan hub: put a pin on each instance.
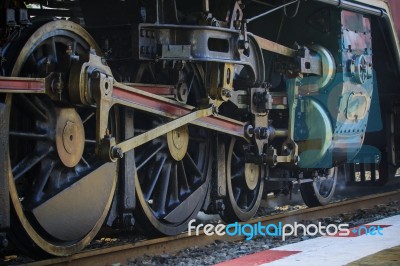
(60, 191)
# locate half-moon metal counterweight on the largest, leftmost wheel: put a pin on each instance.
(75, 219)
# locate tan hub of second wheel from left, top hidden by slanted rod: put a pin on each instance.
(178, 141)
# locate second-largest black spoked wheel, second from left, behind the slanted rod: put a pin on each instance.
(172, 171)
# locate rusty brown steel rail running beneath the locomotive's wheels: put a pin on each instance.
(123, 253)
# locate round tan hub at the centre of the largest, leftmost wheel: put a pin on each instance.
(70, 137)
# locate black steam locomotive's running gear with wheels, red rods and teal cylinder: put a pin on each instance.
(144, 120)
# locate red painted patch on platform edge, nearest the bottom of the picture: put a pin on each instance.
(259, 258)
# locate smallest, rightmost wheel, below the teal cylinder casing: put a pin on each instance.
(321, 190)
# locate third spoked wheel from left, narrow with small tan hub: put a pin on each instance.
(244, 185)
